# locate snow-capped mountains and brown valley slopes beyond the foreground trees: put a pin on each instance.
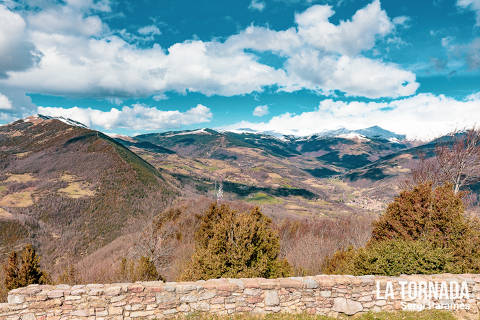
(73, 191)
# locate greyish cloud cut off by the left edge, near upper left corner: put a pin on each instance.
(16, 53)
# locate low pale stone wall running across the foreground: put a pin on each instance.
(327, 295)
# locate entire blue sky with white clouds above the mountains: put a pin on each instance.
(289, 66)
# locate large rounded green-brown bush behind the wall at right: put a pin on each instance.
(423, 231)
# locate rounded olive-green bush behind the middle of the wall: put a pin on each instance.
(234, 244)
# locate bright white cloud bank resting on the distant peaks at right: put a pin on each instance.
(423, 116)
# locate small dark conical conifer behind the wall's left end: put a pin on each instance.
(30, 272)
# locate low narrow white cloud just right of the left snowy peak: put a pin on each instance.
(136, 117)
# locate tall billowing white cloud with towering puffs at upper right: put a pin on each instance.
(325, 57)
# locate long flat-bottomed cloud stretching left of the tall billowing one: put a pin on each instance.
(109, 67)
